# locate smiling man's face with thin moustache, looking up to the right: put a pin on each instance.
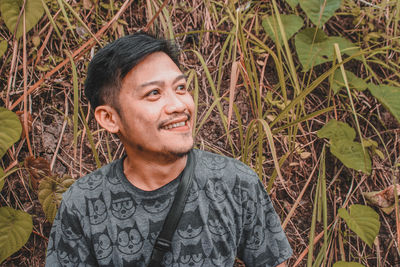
(156, 109)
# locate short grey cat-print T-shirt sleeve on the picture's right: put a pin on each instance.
(263, 242)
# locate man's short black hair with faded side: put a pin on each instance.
(113, 62)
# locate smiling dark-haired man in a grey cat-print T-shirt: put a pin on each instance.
(111, 217)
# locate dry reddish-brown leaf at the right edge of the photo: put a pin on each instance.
(383, 199)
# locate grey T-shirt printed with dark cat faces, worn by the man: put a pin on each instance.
(104, 220)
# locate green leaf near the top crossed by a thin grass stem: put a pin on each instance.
(291, 24)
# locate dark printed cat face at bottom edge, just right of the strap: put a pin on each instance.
(192, 255)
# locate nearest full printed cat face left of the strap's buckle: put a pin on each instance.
(129, 240)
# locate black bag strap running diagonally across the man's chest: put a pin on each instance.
(163, 241)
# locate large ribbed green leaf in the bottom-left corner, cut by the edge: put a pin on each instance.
(15, 229)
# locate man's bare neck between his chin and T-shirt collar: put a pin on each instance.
(151, 173)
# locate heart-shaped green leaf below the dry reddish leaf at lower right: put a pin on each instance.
(362, 220)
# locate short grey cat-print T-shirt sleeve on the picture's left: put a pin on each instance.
(68, 245)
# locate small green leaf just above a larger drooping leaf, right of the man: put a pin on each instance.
(336, 130)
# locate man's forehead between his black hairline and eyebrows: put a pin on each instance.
(157, 66)
